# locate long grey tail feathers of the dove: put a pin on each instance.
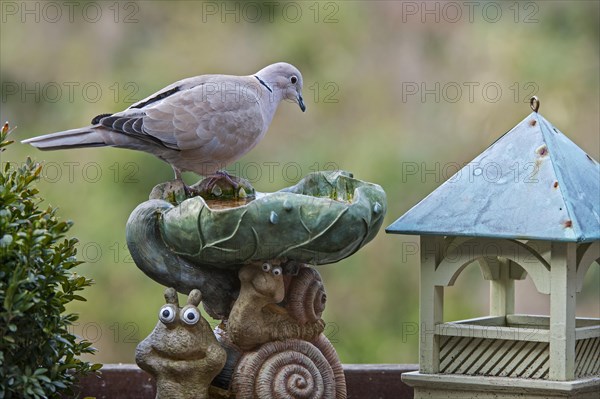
(74, 138)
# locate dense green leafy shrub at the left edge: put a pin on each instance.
(38, 354)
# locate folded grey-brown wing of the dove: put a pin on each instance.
(213, 114)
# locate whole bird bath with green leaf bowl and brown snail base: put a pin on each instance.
(250, 263)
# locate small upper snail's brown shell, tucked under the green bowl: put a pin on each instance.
(306, 296)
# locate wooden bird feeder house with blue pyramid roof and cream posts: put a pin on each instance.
(543, 221)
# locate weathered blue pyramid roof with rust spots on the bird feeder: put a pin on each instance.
(532, 183)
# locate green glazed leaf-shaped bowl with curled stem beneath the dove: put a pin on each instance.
(326, 217)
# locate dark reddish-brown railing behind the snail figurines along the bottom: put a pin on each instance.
(364, 381)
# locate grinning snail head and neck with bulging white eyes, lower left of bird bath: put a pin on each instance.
(182, 352)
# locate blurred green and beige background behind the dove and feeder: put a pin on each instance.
(391, 87)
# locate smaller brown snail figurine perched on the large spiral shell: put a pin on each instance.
(256, 318)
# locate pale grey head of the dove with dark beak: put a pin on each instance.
(285, 80)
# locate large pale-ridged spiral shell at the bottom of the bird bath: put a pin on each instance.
(284, 369)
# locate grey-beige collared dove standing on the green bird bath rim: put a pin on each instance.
(198, 124)
